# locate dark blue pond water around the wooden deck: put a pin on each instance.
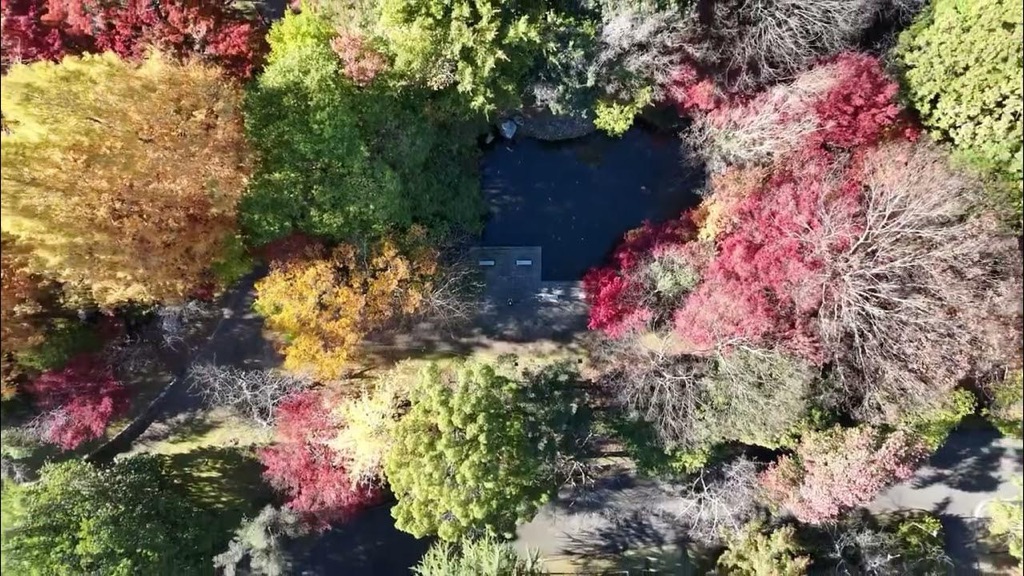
(577, 198)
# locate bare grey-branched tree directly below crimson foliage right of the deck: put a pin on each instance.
(664, 389)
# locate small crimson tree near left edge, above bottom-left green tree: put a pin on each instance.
(78, 402)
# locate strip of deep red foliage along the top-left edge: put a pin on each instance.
(211, 30)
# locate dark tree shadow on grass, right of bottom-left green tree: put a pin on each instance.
(226, 482)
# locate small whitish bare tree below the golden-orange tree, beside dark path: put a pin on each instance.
(253, 394)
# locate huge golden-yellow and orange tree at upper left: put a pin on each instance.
(121, 179)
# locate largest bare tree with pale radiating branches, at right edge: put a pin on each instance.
(901, 307)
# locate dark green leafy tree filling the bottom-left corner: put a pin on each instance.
(124, 520)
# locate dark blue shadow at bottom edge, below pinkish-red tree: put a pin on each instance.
(369, 545)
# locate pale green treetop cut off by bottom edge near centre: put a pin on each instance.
(473, 558)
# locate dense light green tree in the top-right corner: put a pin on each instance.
(966, 77)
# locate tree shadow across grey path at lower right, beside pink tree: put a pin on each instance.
(969, 463)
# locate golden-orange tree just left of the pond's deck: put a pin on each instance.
(326, 302)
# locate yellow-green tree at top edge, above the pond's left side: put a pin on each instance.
(484, 49)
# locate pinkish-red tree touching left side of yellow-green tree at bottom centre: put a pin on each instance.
(302, 465)
